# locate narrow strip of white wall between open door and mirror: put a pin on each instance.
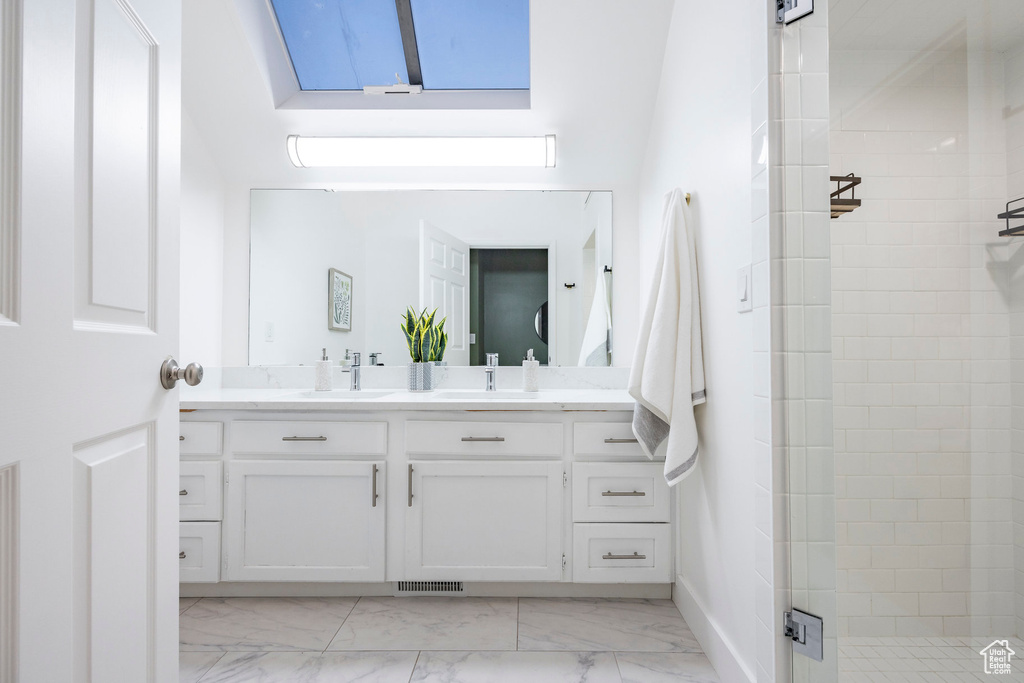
(202, 251)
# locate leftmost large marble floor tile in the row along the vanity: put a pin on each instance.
(263, 624)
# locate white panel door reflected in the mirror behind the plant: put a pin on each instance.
(445, 286)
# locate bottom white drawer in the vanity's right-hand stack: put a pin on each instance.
(622, 553)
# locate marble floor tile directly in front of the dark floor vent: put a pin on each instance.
(430, 624)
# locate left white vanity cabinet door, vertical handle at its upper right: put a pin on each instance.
(305, 521)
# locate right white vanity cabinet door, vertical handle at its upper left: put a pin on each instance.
(485, 522)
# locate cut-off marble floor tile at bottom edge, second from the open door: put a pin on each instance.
(313, 668)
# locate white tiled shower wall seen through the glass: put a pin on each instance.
(921, 339)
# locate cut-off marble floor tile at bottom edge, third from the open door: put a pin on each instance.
(516, 668)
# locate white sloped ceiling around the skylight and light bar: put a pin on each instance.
(595, 70)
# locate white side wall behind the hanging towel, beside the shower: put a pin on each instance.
(701, 142)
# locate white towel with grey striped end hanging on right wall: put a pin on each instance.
(667, 379)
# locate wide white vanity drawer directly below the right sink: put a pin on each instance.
(489, 439)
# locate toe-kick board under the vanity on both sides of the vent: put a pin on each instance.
(476, 589)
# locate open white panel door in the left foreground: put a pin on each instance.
(90, 159)
